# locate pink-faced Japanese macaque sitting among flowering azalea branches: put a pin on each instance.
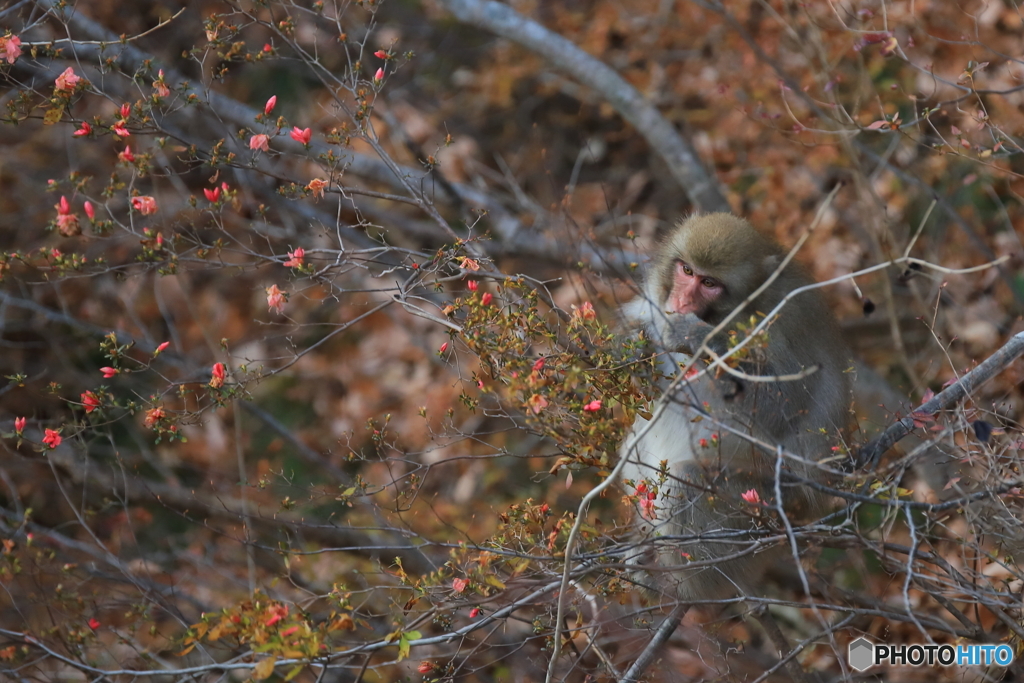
(703, 488)
